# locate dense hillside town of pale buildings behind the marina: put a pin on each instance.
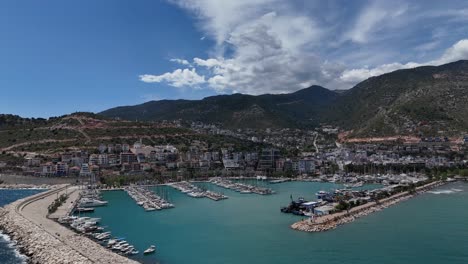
(325, 157)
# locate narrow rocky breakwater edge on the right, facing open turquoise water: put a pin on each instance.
(321, 224)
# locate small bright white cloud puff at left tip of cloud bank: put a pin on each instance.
(177, 78)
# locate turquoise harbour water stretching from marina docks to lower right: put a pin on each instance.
(248, 228)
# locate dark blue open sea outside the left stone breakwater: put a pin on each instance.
(8, 253)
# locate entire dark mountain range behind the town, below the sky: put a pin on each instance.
(424, 100)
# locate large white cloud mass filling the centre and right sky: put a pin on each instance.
(274, 46)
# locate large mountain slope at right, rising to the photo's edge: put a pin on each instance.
(424, 100)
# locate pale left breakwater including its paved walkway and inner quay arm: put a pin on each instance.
(46, 241)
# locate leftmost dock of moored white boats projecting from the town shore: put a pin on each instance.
(147, 199)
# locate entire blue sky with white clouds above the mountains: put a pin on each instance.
(62, 56)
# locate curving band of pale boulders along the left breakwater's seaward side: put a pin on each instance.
(41, 246)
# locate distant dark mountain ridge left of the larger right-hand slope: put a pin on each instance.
(238, 110)
